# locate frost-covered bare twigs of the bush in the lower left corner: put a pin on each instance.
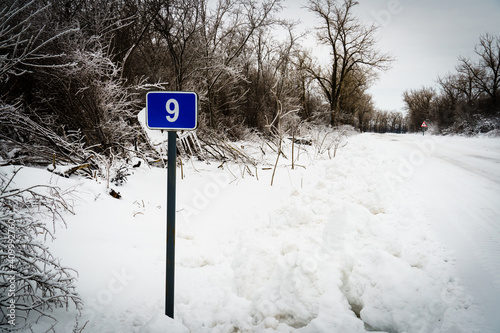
(36, 280)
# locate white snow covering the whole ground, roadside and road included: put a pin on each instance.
(397, 233)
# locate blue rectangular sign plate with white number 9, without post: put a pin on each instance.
(172, 110)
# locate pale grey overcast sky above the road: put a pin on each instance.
(426, 37)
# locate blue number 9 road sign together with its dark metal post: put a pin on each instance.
(171, 111)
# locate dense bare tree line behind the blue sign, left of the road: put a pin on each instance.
(82, 68)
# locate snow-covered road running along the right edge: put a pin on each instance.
(457, 181)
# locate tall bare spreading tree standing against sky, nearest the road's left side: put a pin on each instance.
(352, 48)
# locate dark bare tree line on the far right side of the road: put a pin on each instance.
(466, 101)
